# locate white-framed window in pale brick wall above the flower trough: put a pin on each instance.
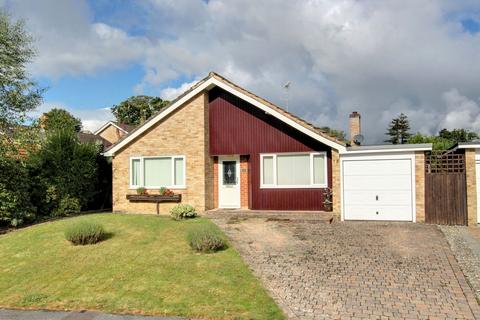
(157, 172)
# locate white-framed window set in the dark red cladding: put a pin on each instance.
(293, 170)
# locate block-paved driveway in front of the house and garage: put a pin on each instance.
(371, 270)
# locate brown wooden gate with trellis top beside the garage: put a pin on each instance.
(445, 188)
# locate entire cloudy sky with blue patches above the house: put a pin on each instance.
(377, 57)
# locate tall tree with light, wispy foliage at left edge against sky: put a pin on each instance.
(18, 93)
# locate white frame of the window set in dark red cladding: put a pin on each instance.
(309, 186)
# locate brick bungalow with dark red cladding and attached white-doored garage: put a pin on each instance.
(220, 146)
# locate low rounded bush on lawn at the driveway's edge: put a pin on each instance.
(206, 239)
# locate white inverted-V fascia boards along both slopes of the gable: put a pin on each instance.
(207, 85)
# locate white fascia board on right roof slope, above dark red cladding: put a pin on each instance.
(279, 116)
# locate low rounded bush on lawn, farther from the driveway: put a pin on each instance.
(85, 232)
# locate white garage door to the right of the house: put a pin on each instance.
(378, 189)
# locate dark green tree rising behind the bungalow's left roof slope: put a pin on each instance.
(136, 109)
